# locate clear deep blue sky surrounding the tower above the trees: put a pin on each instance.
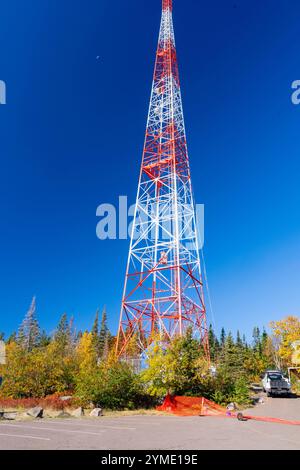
(72, 134)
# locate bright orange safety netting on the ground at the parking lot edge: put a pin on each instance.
(200, 406)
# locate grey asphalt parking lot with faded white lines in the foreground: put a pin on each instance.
(157, 432)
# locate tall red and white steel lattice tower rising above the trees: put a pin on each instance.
(163, 290)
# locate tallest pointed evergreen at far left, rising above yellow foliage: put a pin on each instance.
(29, 331)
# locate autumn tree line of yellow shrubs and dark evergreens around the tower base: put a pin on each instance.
(84, 364)
